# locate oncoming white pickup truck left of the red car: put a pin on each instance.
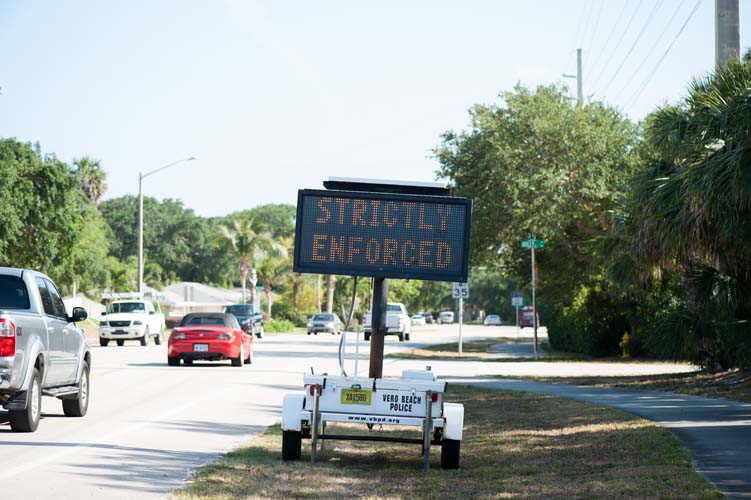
(131, 320)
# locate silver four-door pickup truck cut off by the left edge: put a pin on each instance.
(42, 351)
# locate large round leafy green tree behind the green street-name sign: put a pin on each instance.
(538, 164)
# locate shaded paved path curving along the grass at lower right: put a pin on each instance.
(715, 432)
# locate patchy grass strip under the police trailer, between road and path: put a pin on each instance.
(516, 445)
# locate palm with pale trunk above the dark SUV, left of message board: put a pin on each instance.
(248, 239)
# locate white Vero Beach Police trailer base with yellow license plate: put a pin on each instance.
(414, 400)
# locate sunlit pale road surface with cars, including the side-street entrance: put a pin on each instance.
(150, 425)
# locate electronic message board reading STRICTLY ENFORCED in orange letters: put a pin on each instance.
(382, 235)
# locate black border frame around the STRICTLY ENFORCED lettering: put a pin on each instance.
(411, 273)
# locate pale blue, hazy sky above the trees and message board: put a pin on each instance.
(275, 96)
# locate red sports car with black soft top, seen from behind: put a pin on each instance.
(209, 336)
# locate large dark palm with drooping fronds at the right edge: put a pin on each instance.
(691, 210)
